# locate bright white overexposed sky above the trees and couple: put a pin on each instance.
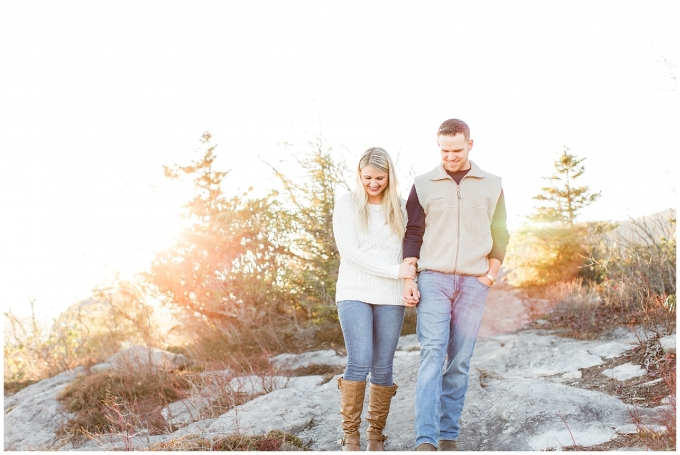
(95, 97)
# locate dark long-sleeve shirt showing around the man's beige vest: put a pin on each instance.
(415, 229)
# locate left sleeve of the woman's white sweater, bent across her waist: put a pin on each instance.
(345, 228)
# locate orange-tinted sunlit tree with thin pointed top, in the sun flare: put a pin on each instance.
(226, 266)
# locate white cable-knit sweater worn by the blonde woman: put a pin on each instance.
(369, 260)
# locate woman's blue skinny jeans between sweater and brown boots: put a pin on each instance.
(371, 335)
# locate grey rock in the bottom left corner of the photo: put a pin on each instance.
(33, 414)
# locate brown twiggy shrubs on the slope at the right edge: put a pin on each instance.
(632, 280)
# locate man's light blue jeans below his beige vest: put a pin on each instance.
(449, 315)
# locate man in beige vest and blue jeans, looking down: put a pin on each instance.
(457, 236)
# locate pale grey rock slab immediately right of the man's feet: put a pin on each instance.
(535, 414)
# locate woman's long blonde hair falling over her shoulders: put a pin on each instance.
(379, 159)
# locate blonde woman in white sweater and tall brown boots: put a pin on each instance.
(369, 224)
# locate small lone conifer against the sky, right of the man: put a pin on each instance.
(563, 199)
